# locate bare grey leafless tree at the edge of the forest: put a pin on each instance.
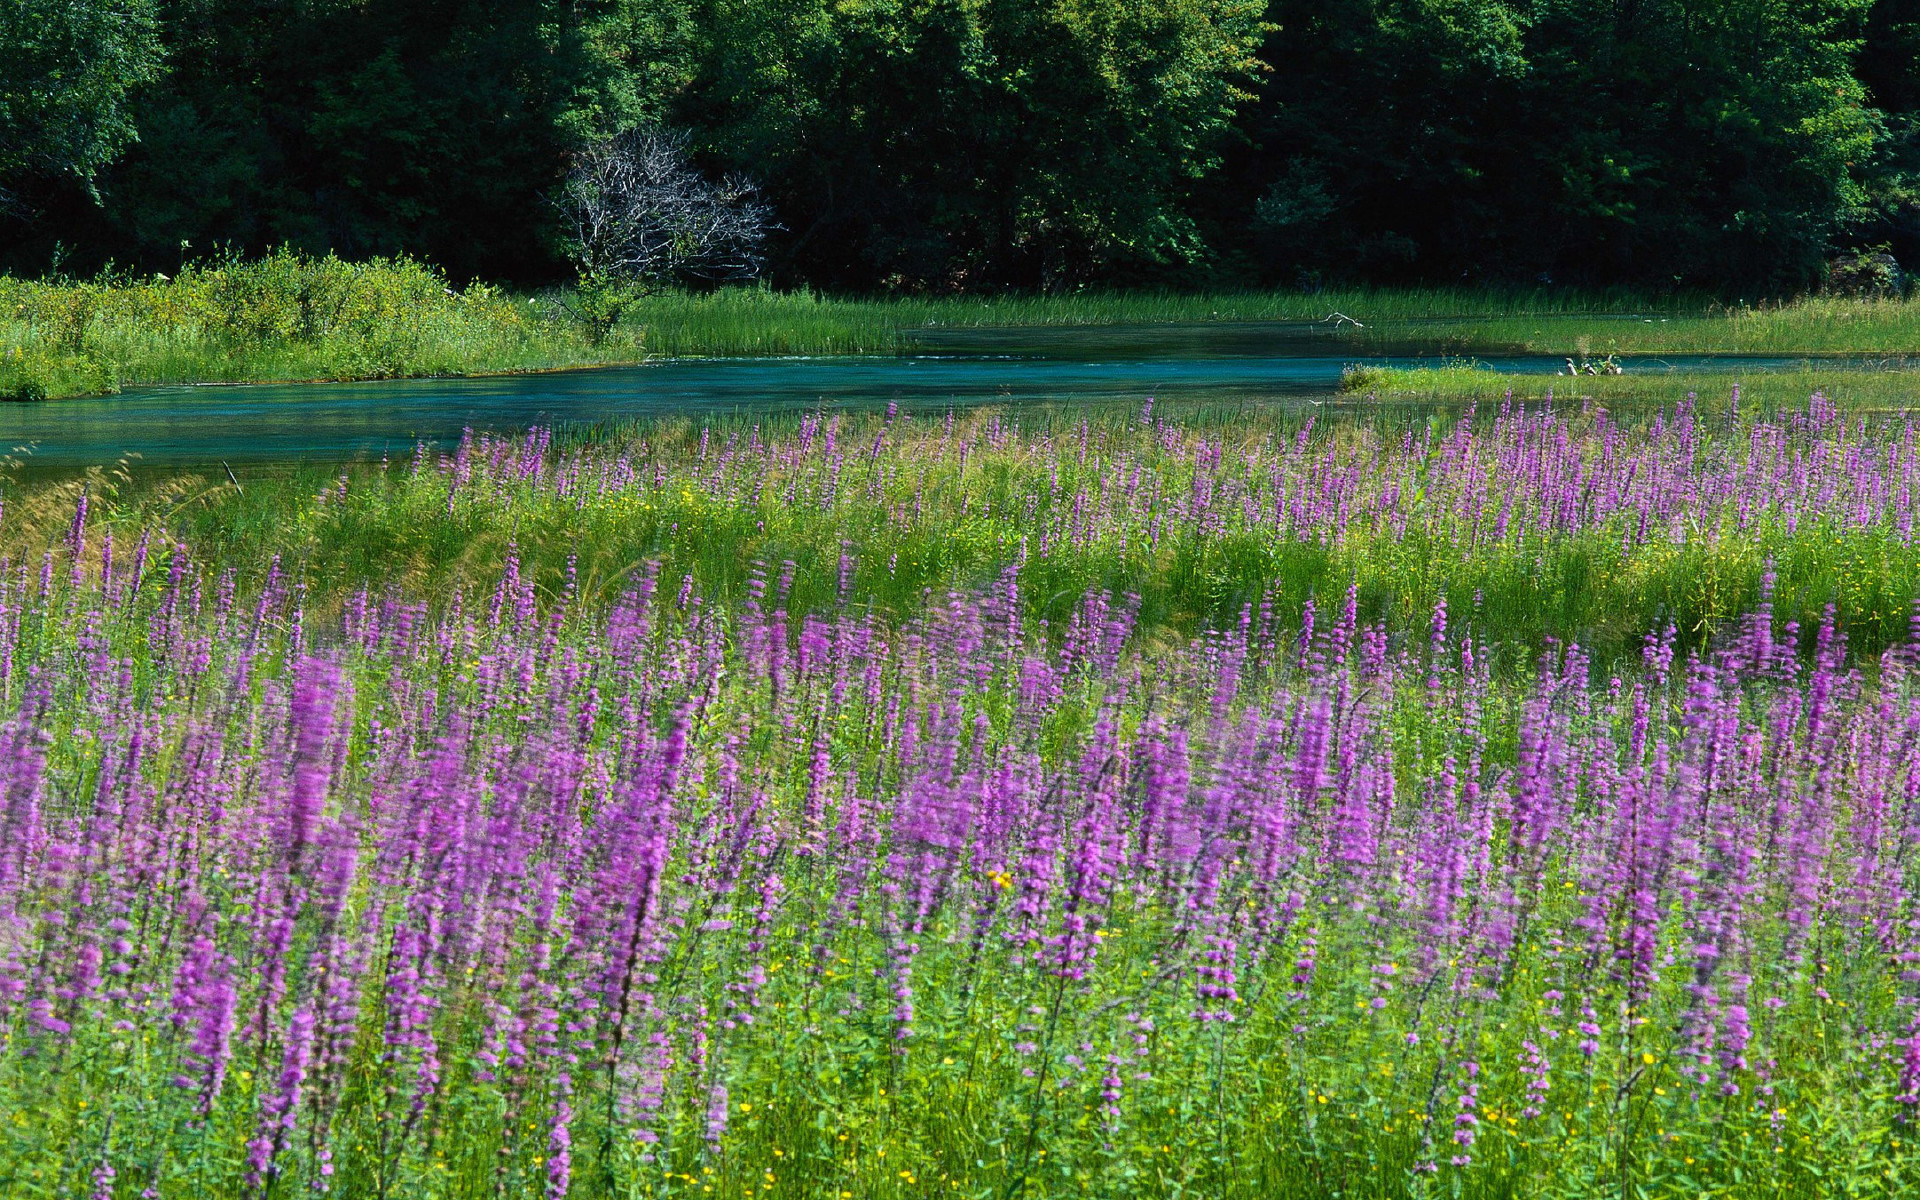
(644, 214)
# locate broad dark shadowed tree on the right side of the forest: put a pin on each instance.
(1652, 141)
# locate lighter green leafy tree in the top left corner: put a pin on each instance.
(66, 74)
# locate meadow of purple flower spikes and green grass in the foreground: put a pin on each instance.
(1203, 823)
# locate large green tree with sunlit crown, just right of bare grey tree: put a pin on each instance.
(949, 143)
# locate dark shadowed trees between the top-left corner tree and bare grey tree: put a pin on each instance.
(408, 126)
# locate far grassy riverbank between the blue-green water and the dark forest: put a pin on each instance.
(287, 318)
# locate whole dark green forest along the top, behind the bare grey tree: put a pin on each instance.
(949, 147)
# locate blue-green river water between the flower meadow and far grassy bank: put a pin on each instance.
(277, 423)
